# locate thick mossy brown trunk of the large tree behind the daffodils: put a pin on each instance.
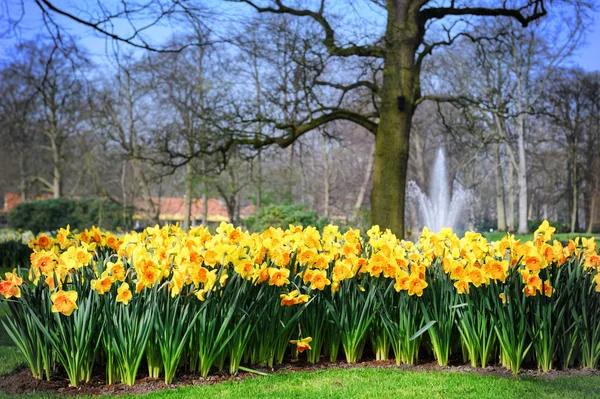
(397, 107)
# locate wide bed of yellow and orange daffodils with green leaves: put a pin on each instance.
(198, 302)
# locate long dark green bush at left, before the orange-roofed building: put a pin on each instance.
(49, 215)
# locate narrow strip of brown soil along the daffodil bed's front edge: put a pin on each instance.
(22, 382)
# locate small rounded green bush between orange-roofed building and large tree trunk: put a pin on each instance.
(284, 214)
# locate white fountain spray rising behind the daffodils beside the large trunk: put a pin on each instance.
(438, 209)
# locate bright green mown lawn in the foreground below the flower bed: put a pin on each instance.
(387, 383)
